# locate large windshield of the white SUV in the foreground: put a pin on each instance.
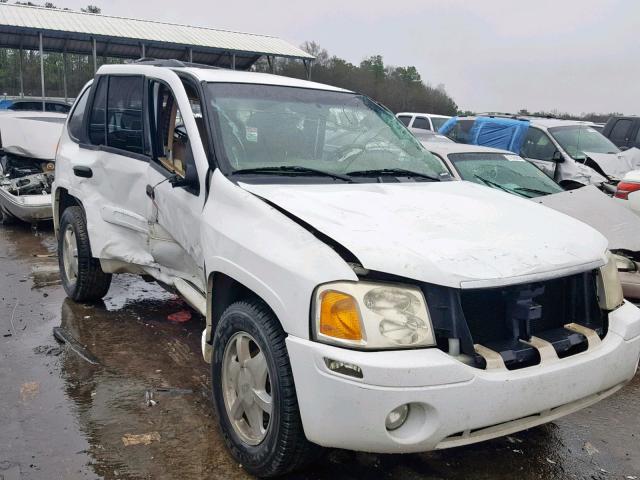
(268, 127)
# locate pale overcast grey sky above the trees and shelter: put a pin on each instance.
(573, 56)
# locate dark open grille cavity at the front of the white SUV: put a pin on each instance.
(501, 318)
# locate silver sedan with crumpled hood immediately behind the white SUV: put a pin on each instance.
(508, 172)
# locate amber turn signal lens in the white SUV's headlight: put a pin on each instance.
(339, 316)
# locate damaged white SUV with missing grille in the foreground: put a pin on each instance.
(354, 297)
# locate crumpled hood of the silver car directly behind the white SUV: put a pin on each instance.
(617, 223)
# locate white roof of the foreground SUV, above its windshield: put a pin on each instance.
(222, 75)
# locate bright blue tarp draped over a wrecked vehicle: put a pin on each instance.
(504, 133)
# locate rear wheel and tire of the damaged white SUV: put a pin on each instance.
(86, 282)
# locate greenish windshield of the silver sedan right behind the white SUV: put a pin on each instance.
(504, 172)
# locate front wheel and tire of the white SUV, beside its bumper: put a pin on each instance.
(284, 447)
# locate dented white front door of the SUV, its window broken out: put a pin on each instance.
(174, 210)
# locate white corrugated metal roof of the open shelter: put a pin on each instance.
(71, 22)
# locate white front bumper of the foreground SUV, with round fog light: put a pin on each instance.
(451, 403)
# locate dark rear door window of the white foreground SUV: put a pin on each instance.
(124, 114)
